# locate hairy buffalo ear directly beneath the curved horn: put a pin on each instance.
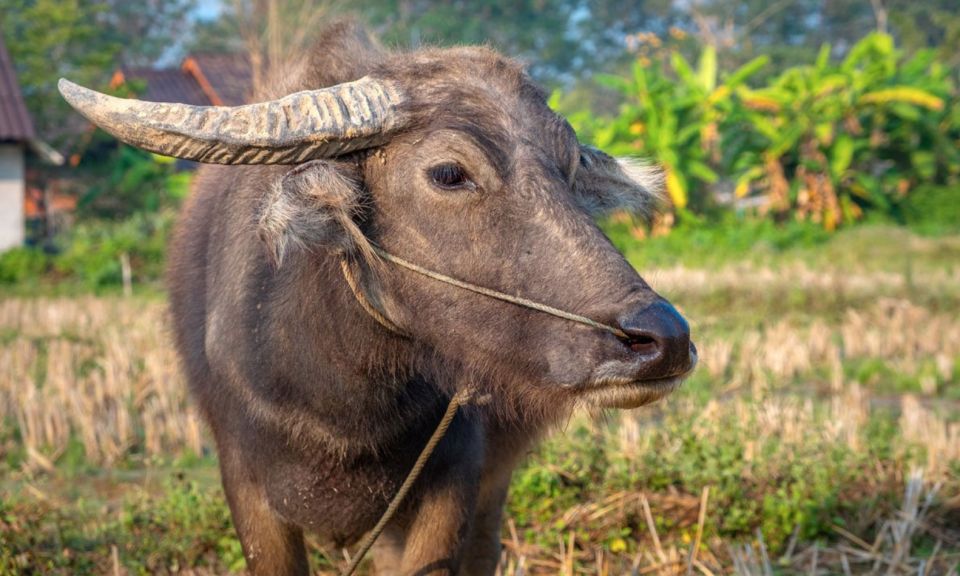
(313, 207)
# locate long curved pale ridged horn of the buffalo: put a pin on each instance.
(295, 128)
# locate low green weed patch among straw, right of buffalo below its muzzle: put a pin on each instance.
(754, 483)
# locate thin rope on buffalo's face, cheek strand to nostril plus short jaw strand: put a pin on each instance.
(489, 292)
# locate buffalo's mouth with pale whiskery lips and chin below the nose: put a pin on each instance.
(623, 384)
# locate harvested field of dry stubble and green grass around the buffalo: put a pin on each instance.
(820, 435)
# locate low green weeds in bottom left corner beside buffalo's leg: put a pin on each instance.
(186, 526)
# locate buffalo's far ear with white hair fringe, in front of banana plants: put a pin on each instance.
(604, 184)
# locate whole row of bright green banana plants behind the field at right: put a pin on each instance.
(828, 142)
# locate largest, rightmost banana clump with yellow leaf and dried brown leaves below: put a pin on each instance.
(833, 140)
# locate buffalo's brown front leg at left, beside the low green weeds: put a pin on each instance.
(270, 545)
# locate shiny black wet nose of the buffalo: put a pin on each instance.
(661, 336)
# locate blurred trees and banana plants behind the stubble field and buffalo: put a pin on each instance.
(794, 112)
